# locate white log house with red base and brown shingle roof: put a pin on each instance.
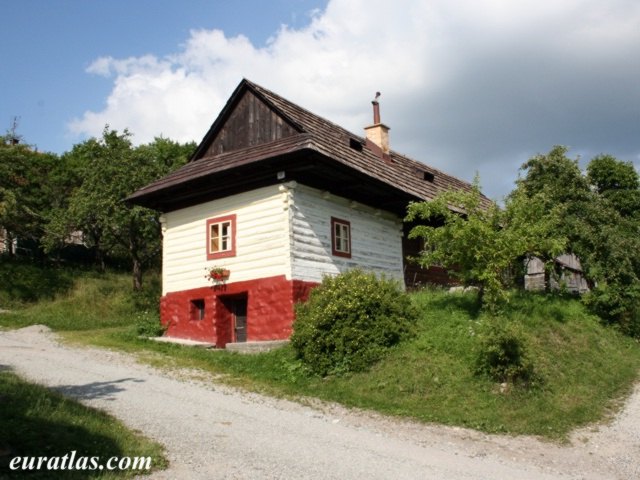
(273, 199)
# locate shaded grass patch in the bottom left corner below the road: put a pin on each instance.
(37, 422)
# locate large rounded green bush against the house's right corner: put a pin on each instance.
(350, 321)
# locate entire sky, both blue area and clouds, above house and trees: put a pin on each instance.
(467, 85)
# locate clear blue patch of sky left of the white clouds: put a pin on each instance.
(47, 45)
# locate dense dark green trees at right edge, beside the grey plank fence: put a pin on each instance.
(601, 223)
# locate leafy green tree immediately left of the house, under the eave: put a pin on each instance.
(111, 169)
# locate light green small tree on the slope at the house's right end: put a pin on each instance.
(482, 244)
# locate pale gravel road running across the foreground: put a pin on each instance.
(215, 432)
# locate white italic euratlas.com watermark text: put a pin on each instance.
(73, 461)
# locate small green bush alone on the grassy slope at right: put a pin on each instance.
(503, 355)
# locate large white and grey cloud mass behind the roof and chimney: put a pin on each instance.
(466, 85)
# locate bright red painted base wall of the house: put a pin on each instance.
(270, 314)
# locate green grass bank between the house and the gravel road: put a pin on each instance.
(586, 367)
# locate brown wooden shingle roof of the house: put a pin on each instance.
(311, 145)
